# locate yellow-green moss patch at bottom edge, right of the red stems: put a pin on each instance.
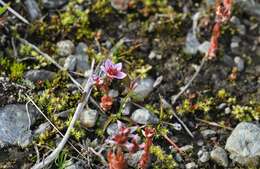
(164, 160)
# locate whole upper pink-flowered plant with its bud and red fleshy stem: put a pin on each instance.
(111, 71)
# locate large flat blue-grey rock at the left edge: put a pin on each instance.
(14, 125)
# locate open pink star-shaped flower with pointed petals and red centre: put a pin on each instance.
(113, 70)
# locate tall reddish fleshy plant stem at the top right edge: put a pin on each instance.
(223, 13)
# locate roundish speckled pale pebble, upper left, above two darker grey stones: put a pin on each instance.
(65, 48)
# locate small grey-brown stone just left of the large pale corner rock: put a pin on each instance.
(219, 155)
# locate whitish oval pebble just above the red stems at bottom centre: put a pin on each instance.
(143, 116)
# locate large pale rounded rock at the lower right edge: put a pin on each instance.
(244, 144)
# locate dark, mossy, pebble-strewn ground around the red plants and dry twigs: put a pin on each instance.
(160, 44)
